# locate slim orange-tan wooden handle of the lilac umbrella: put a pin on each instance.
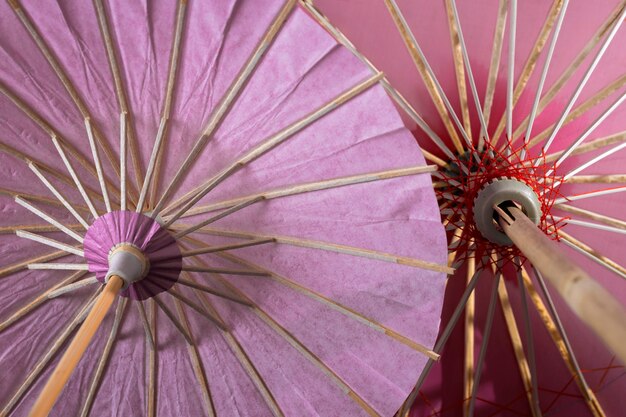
(77, 348)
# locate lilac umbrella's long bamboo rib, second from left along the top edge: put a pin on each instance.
(120, 91)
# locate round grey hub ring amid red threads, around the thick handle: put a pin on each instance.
(497, 192)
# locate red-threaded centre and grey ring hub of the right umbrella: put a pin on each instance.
(476, 182)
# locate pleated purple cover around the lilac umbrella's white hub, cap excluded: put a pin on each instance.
(144, 233)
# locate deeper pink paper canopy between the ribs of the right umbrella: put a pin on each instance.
(585, 28)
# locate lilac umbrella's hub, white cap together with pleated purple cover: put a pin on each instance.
(136, 248)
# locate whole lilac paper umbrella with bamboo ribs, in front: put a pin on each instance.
(236, 187)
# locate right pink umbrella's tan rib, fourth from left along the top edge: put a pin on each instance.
(531, 62)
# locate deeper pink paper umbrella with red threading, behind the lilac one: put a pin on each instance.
(528, 106)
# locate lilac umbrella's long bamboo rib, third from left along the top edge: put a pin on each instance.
(174, 59)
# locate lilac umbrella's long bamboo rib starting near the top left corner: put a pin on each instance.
(62, 75)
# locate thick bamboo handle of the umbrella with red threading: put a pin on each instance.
(591, 302)
